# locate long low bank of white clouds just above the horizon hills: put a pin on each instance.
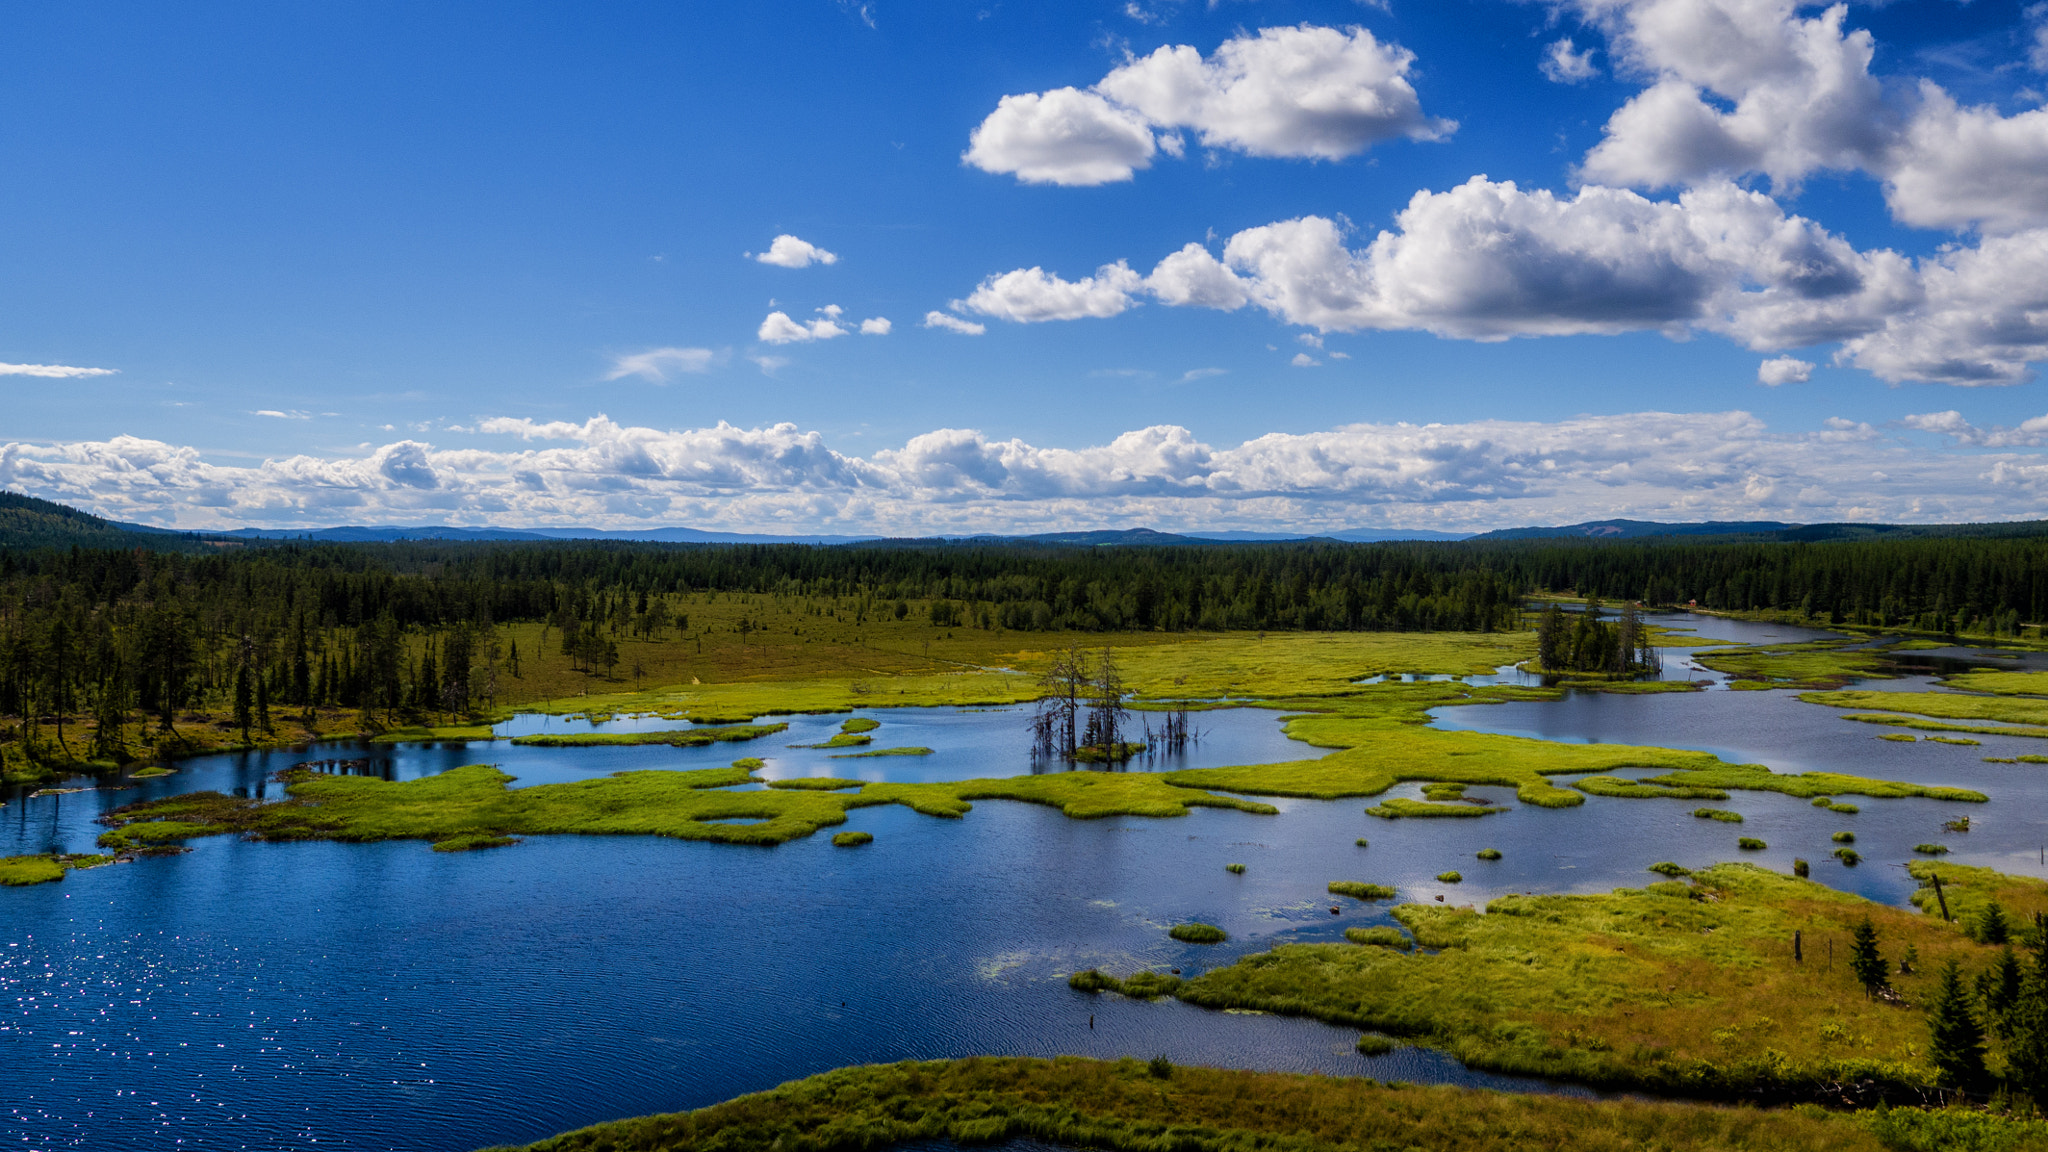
(1474, 477)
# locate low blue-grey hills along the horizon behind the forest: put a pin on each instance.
(28, 522)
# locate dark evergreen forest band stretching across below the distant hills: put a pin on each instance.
(419, 628)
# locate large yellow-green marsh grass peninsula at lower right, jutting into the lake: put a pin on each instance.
(1678, 987)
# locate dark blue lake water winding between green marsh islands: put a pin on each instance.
(392, 997)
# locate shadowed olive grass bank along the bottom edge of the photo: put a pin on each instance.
(1134, 1108)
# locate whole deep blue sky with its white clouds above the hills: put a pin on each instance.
(490, 263)
